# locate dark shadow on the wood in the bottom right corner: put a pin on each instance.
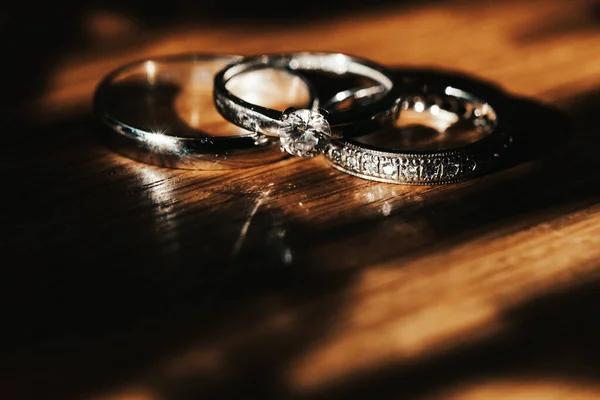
(548, 342)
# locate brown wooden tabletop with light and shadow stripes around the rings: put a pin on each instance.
(291, 280)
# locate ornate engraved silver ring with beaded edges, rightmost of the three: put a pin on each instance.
(481, 107)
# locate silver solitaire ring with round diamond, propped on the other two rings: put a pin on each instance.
(307, 132)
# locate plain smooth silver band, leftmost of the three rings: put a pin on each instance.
(198, 152)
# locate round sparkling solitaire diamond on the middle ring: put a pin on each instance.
(304, 133)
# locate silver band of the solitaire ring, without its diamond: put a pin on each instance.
(268, 121)
